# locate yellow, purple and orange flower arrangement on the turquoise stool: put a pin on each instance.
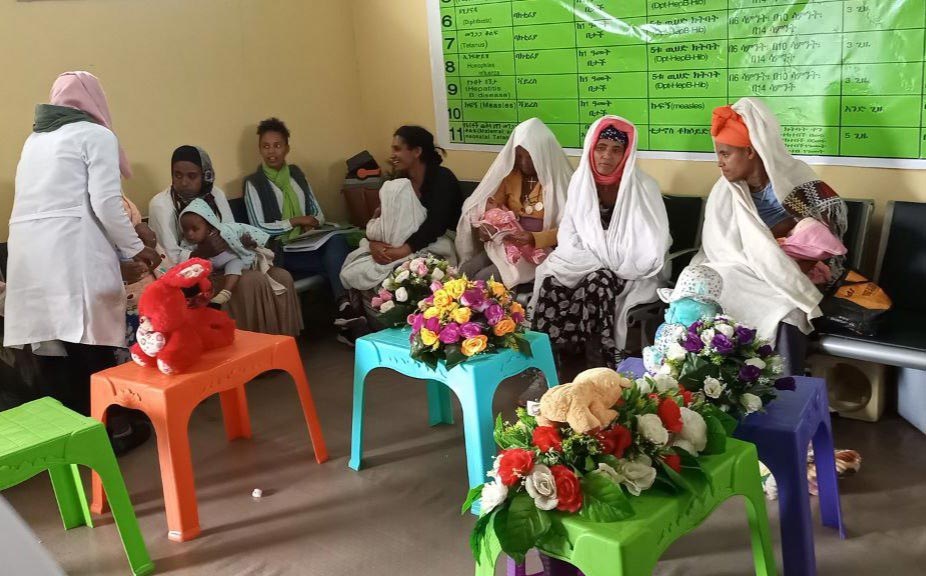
(462, 318)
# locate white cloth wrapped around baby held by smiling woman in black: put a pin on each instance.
(401, 214)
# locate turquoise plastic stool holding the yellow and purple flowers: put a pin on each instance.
(474, 382)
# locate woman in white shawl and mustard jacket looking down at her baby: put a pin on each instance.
(528, 179)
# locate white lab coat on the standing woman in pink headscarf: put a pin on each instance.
(68, 231)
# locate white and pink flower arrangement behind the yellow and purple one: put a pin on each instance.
(406, 285)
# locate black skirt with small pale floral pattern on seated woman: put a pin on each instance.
(576, 318)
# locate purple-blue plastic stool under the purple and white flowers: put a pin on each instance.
(781, 435)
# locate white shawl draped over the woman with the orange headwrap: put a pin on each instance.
(762, 286)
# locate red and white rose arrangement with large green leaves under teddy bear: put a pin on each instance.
(544, 473)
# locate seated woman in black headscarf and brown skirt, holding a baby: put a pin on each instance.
(254, 305)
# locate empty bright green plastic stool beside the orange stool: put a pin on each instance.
(44, 435)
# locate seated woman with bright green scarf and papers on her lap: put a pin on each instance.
(280, 202)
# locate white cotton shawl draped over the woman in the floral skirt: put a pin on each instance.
(634, 245)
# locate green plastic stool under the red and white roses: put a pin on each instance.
(632, 547)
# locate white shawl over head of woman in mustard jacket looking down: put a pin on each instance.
(553, 172)
